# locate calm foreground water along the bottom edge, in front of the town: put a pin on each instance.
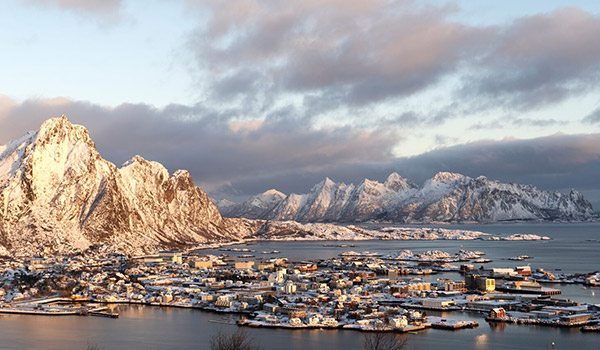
(159, 328)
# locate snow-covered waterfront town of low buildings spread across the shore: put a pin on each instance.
(362, 291)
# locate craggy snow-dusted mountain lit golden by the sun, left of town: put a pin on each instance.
(57, 195)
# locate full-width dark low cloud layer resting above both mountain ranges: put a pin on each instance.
(240, 158)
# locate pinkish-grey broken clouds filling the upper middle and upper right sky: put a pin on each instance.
(340, 55)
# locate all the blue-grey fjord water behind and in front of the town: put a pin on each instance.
(573, 248)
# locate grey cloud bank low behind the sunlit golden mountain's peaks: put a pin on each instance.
(215, 146)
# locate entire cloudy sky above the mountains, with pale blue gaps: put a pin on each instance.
(250, 95)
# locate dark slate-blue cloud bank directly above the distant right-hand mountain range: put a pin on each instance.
(556, 162)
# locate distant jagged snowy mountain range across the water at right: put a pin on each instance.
(447, 197)
